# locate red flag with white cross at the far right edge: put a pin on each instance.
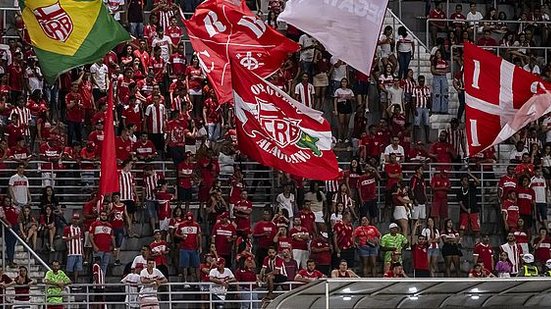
(500, 98)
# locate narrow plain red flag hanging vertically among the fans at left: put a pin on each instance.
(109, 180)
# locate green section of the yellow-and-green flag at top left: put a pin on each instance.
(104, 36)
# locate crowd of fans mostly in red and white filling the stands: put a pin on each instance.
(165, 109)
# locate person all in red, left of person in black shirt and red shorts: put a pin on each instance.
(441, 186)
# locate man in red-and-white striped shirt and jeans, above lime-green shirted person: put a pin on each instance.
(73, 237)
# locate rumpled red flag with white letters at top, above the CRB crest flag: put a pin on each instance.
(224, 32)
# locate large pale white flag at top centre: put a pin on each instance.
(349, 29)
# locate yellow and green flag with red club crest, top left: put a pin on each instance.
(68, 33)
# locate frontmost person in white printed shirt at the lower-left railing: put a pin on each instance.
(151, 278)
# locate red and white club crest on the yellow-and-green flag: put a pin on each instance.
(54, 21)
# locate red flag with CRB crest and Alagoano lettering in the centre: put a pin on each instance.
(277, 131)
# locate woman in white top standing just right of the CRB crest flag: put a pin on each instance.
(342, 108)
